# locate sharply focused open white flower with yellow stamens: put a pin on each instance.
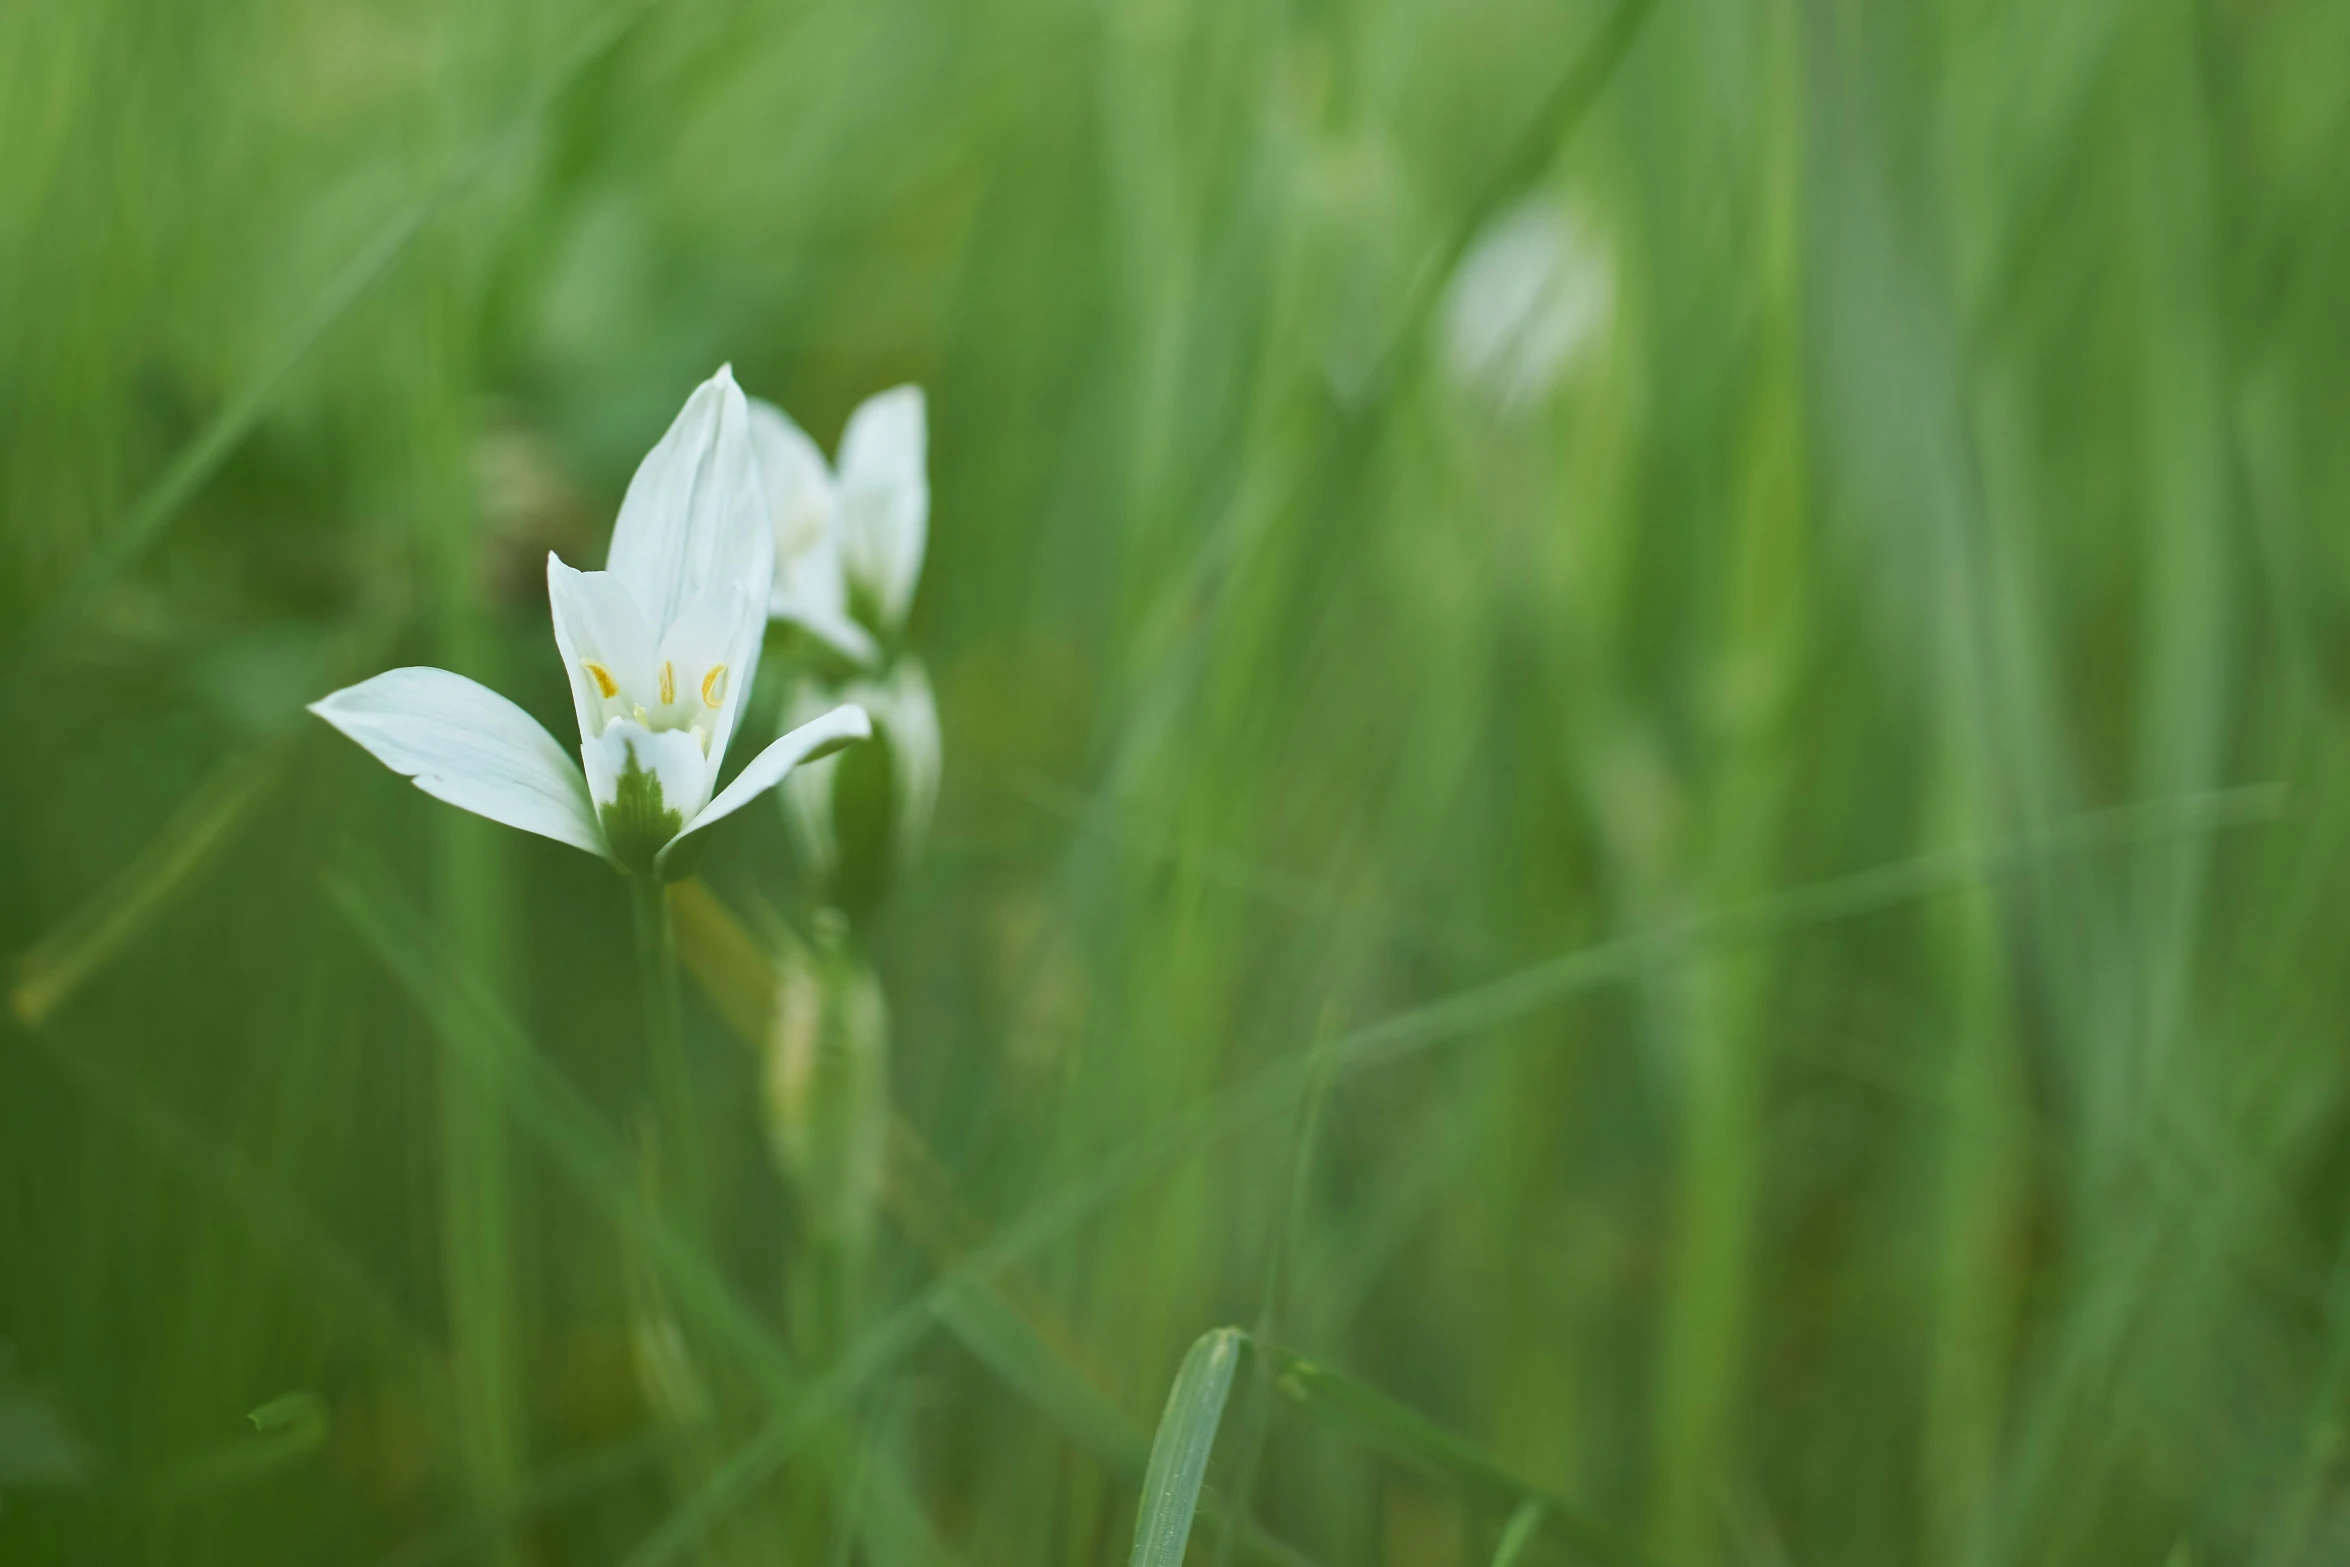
(659, 647)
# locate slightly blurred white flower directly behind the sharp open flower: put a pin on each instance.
(847, 544)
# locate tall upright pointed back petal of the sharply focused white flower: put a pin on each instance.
(694, 516)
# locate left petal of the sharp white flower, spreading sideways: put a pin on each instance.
(469, 746)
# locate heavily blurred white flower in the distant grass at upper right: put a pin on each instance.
(1531, 297)
